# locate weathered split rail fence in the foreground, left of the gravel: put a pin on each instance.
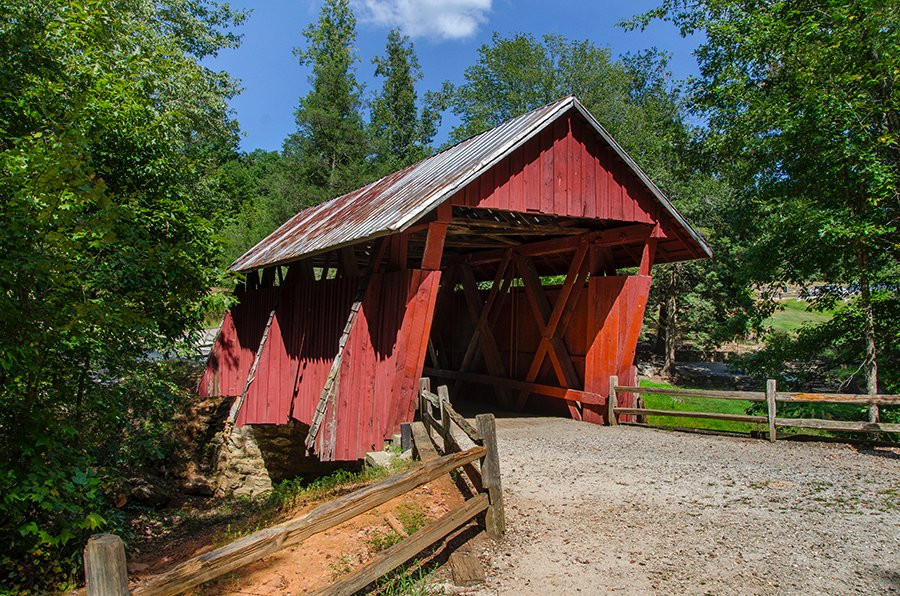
(104, 555)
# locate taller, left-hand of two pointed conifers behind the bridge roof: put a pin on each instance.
(326, 156)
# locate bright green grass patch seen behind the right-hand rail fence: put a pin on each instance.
(697, 404)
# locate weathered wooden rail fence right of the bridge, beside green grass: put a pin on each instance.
(770, 396)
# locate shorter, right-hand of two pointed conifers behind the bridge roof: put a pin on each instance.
(401, 133)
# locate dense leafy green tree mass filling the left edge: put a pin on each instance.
(111, 129)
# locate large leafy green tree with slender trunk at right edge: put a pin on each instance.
(801, 105)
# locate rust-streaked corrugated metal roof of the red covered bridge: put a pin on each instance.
(398, 200)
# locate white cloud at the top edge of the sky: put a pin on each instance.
(442, 19)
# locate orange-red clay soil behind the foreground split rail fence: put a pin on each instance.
(315, 562)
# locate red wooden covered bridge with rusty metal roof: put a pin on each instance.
(495, 265)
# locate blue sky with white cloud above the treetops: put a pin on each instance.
(446, 34)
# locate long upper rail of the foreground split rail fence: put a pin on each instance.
(251, 548)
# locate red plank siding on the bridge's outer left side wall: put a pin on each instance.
(381, 364)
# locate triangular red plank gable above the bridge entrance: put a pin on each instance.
(566, 170)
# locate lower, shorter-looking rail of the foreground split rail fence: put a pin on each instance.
(391, 558)
